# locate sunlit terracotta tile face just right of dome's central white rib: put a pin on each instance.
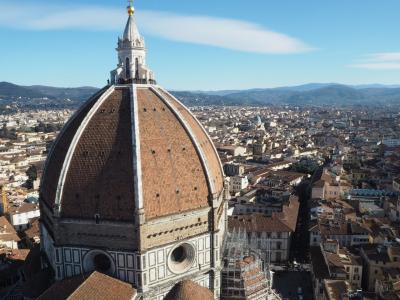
(173, 178)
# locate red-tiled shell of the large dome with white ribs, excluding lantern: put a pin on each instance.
(130, 147)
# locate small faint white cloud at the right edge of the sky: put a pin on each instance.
(380, 61)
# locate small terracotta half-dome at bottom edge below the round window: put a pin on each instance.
(188, 290)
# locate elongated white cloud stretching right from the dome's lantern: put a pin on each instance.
(224, 33)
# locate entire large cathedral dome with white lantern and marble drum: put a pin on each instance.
(133, 186)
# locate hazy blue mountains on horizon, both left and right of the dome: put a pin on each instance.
(318, 94)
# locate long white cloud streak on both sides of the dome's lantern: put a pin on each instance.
(219, 32)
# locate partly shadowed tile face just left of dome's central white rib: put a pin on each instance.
(100, 176)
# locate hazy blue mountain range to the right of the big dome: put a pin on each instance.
(309, 94)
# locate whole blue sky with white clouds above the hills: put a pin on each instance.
(207, 45)
